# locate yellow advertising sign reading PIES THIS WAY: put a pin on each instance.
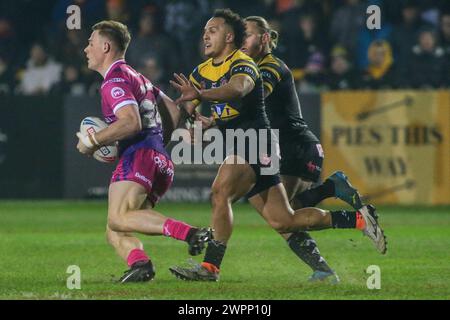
(394, 145)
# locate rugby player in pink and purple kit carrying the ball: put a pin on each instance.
(144, 171)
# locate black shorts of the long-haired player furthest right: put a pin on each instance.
(302, 159)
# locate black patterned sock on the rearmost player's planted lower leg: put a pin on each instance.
(306, 249)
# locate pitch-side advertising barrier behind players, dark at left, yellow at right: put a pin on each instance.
(394, 145)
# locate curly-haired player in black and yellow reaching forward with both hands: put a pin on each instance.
(230, 83)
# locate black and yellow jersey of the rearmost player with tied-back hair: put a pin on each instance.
(282, 105)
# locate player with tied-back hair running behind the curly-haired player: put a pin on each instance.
(301, 152)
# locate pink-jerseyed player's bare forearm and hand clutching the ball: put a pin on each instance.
(127, 125)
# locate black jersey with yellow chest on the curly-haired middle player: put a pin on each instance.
(247, 112)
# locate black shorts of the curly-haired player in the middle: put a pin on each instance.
(264, 162)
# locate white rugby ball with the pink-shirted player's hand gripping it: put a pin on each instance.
(89, 126)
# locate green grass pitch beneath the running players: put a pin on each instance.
(39, 240)
